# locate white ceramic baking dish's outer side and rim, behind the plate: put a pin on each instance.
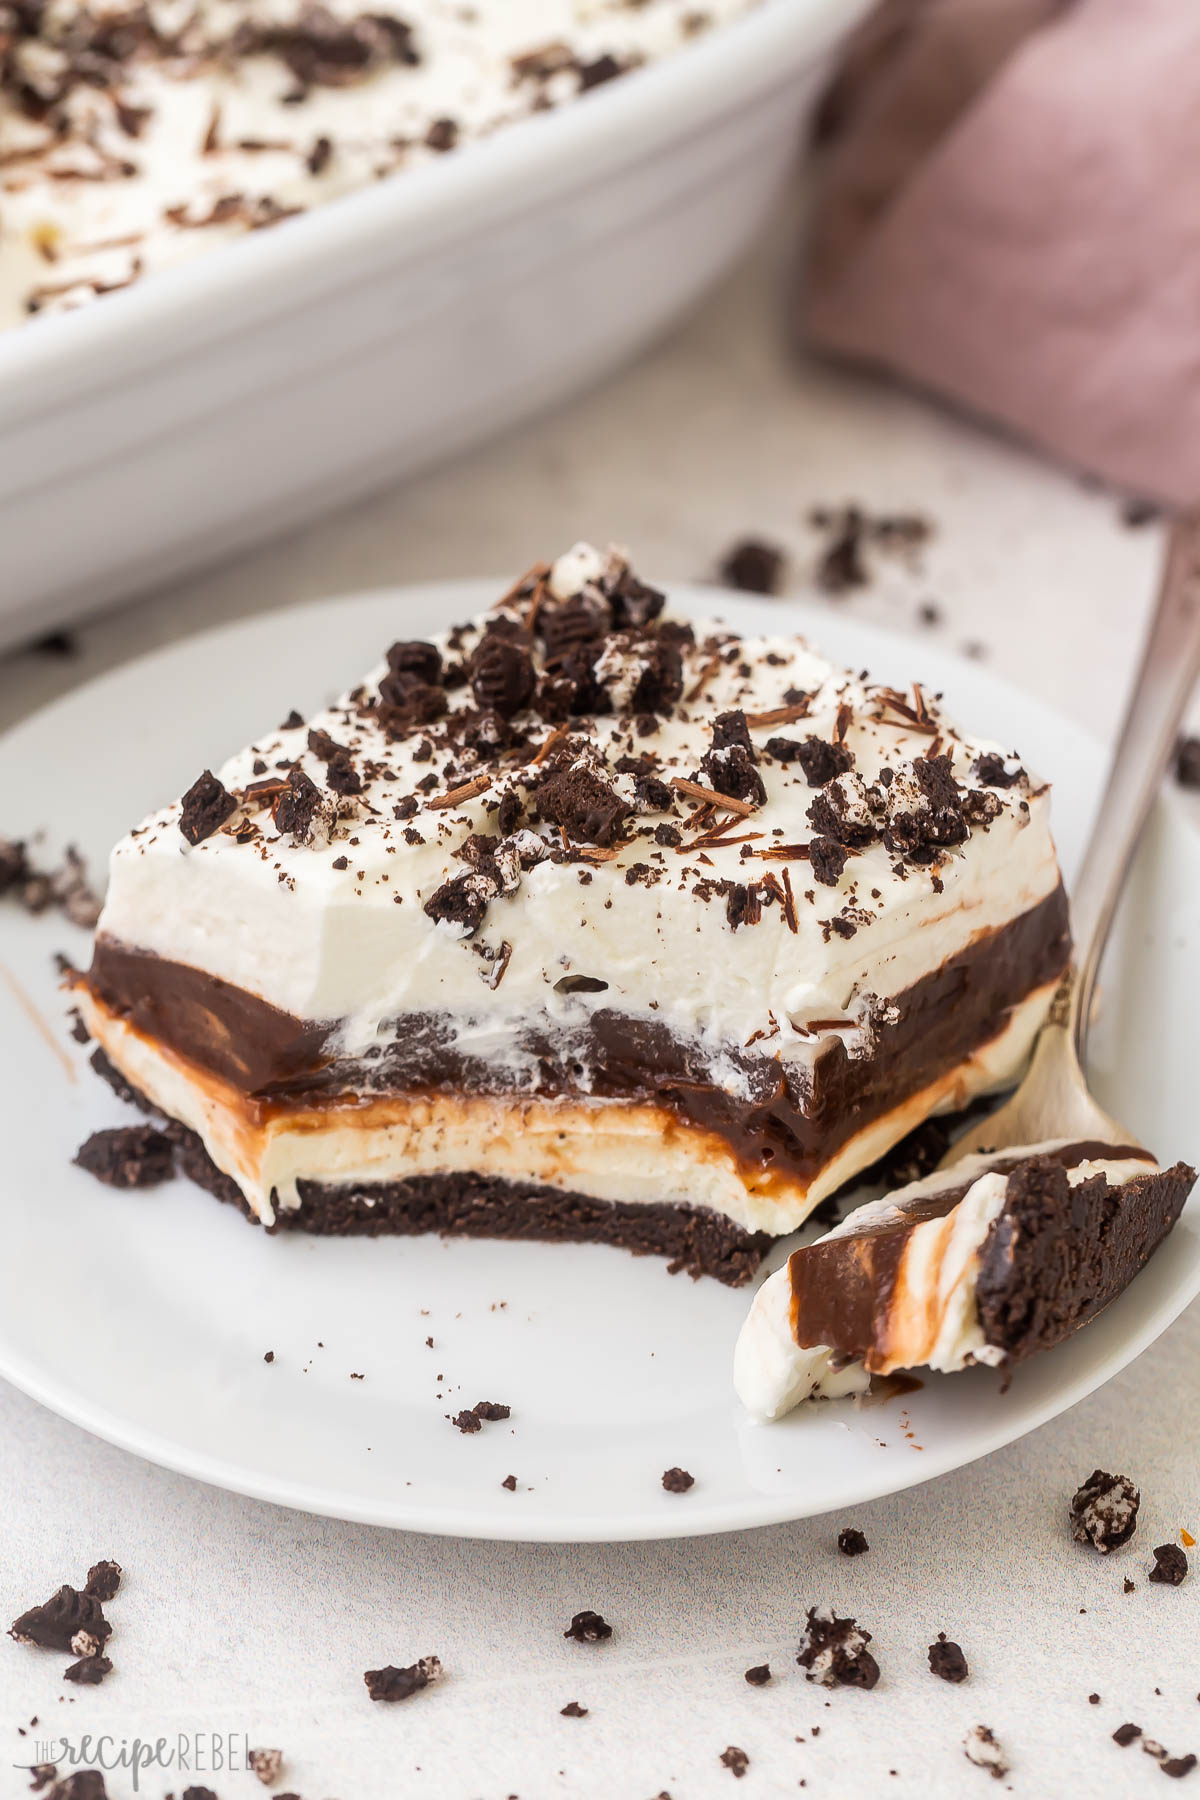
(285, 373)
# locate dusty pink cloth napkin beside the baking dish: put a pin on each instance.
(1010, 215)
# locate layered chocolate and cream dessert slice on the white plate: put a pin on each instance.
(582, 922)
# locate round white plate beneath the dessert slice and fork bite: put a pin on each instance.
(147, 1317)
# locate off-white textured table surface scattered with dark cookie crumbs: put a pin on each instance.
(242, 1619)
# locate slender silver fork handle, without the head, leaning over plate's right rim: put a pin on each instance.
(1149, 732)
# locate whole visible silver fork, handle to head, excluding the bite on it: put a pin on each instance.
(1053, 1101)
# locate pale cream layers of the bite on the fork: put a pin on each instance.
(933, 1318)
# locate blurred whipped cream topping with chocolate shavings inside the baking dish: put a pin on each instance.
(136, 134)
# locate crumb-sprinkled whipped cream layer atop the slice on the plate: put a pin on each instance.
(454, 868)
